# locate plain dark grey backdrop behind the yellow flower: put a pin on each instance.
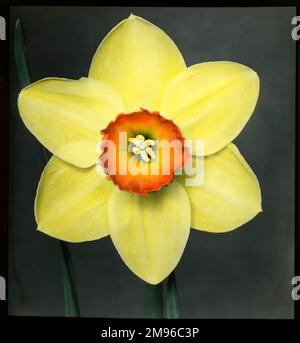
(245, 273)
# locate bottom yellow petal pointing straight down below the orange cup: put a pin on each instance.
(150, 232)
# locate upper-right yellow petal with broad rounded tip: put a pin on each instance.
(212, 102)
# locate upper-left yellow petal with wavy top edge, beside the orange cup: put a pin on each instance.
(66, 116)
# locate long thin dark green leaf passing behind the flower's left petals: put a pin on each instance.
(23, 69)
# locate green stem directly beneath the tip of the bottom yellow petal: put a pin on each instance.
(154, 300)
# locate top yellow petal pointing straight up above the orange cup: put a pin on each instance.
(138, 59)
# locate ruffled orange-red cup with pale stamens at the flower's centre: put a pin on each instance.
(141, 151)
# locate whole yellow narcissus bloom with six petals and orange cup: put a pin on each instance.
(139, 84)
